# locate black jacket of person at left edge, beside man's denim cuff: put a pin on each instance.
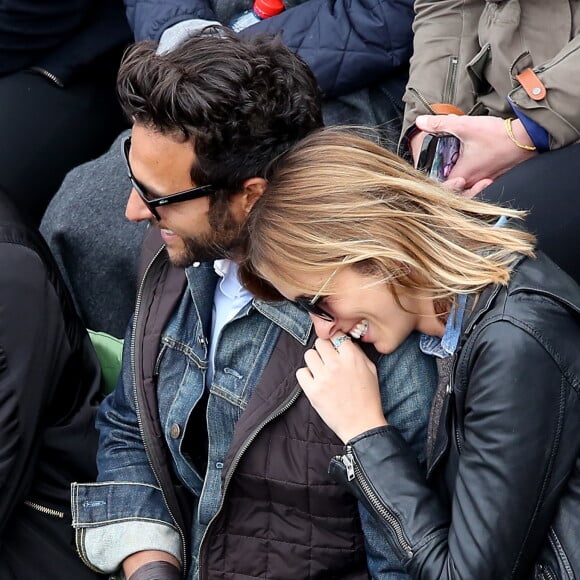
(49, 387)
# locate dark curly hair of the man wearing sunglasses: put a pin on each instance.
(240, 100)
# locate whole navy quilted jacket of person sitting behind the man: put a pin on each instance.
(348, 44)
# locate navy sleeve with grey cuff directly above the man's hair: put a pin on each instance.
(149, 18)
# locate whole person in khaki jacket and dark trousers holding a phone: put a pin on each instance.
(490, 73)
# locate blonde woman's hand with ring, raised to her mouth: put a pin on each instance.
(341, 384)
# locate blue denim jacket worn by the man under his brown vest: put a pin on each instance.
(128, 509)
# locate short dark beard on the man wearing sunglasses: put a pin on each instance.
(224, 240)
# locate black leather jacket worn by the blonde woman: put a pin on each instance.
(502, 497)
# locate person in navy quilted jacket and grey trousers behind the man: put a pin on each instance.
(359, 52)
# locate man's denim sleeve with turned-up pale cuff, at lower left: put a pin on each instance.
(124, 511)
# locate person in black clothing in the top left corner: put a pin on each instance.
(58, 65)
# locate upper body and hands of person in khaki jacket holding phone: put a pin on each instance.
(495, 80)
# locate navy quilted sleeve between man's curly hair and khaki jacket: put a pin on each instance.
(349, 44)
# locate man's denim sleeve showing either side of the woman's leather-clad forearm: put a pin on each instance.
(408, 379)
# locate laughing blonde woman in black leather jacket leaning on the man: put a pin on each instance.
(374, 251)
